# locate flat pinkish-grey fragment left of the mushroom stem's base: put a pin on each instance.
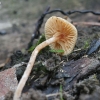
(8, 82)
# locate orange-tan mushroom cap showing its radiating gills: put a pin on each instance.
(64, 31)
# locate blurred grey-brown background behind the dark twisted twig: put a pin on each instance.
(18, 19)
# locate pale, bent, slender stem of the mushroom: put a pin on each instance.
(30, 66)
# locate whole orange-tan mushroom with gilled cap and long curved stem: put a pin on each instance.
(60, 34)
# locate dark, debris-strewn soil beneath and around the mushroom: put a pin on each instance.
(52, 71)
